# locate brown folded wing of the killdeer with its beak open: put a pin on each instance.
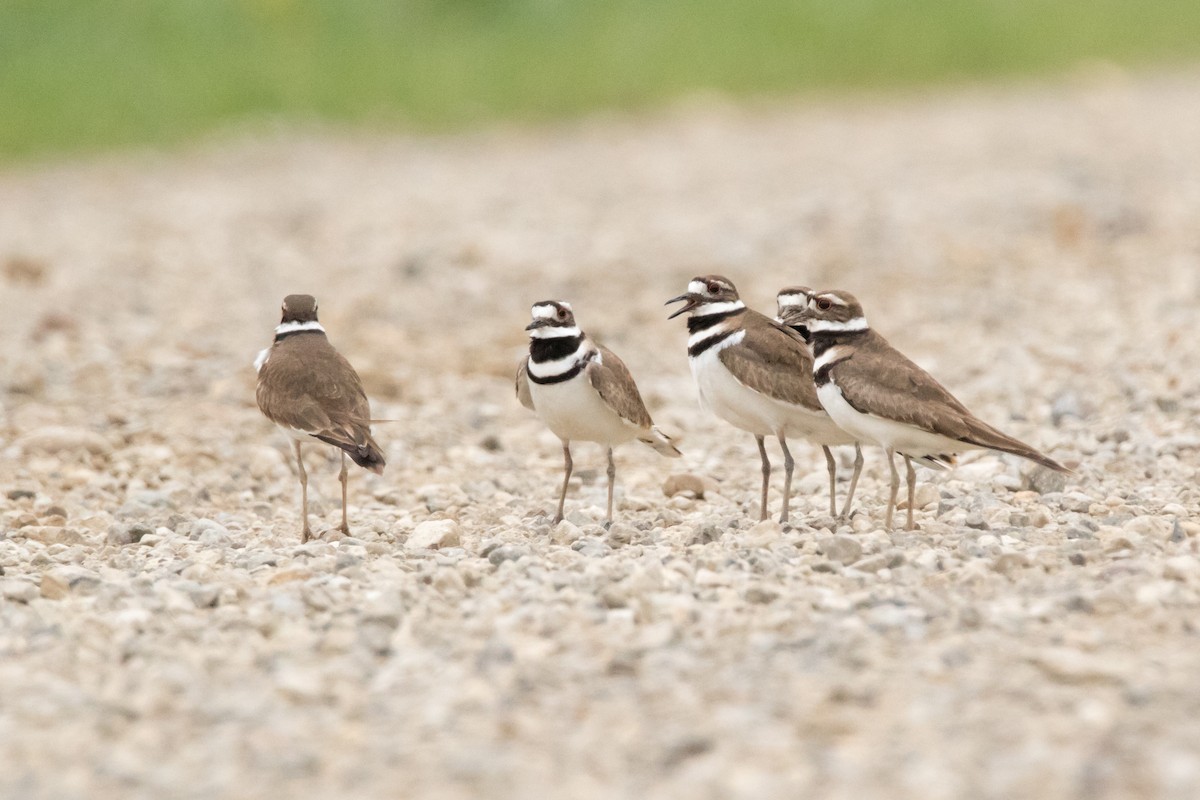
(773, 360)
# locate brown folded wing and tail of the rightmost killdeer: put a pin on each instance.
(881, 381)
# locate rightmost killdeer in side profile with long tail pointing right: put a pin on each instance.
(878, 395)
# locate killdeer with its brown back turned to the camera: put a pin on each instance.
(307, 388)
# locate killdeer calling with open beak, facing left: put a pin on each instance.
(755, 374)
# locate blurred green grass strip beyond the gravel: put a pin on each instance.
(80, 76)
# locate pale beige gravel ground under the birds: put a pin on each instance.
(165, 634)
